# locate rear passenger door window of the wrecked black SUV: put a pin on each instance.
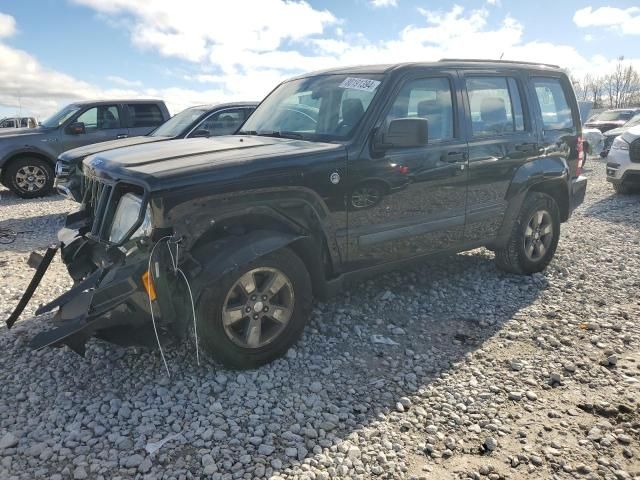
(495, 106)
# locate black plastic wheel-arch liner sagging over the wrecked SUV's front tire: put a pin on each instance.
(221, 257)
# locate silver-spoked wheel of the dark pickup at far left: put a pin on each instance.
(29, 177)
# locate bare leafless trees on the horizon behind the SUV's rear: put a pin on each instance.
(618, 89)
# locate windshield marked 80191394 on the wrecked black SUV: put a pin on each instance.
(320, 108)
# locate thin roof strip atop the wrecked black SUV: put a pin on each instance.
(445, 62)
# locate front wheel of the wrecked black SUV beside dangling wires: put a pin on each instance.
(255, 314)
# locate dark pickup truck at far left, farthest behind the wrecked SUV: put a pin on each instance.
(28, 157)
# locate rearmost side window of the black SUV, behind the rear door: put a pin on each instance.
(554, 107)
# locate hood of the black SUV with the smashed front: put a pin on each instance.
(198, 160)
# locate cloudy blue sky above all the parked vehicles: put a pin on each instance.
(189, 52)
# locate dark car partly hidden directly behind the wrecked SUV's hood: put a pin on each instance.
(194, 122)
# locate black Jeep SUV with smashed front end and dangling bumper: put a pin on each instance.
(336, 174)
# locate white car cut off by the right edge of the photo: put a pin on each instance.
(623, 165)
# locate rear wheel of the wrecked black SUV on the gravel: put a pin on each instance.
(534, 236)
